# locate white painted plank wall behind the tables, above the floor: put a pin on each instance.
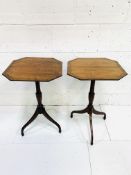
(65, 29)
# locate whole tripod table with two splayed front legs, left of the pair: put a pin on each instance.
(37, 70)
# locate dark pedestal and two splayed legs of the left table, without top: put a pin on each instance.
(39, 110)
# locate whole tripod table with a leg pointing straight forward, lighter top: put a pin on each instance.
(94, 69)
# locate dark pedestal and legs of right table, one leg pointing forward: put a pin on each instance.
(90, 109)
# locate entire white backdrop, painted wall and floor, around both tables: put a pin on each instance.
(65, 29)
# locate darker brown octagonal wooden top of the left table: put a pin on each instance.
(34, 69)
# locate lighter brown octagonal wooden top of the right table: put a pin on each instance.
(95, 69)
